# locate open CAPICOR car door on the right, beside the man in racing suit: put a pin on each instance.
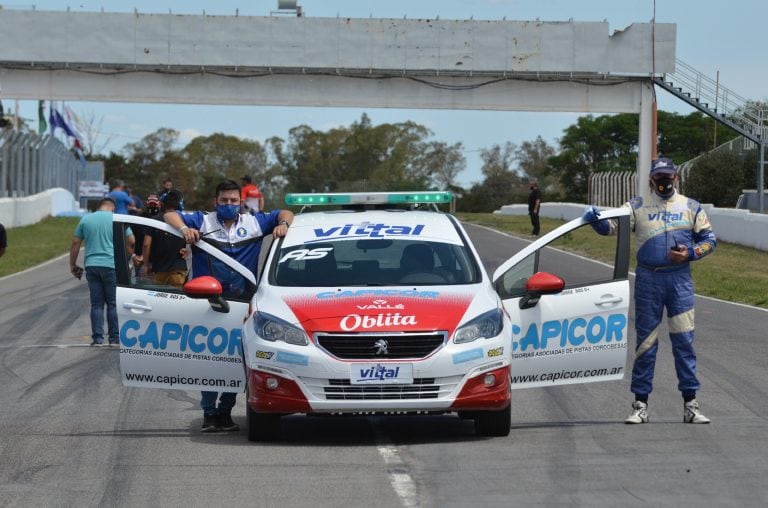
(569, 315)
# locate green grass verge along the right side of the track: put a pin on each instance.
(733, 273)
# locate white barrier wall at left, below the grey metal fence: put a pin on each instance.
(16, 212)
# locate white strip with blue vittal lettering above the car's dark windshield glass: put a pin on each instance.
(332, 225)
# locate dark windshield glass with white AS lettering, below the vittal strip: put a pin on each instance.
(374, 262)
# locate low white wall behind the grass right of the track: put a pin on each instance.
(730, 225)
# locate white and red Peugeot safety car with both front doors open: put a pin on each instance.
(380, 306)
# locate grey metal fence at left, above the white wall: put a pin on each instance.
(30, 164)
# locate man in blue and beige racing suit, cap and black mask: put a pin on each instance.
(672, 230)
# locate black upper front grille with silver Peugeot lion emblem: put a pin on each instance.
(356, 346)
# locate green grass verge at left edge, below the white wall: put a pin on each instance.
(31, 245)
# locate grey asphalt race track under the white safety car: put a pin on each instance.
(73, 436)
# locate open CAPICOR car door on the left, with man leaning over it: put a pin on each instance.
(177, 339)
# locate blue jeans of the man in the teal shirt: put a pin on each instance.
(102, 283)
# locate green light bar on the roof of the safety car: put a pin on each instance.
(368, 198)
